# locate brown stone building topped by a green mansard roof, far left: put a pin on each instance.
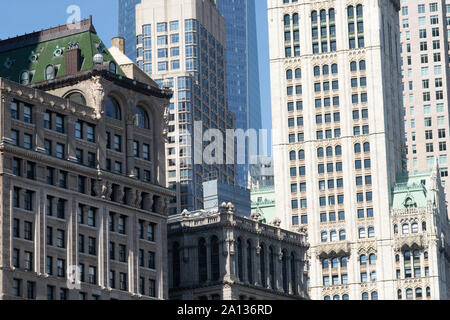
(84, 210)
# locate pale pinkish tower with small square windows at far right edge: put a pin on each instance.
(425, 72)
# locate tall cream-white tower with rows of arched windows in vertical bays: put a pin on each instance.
(338, 137)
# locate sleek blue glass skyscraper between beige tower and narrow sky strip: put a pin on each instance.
(243, 94)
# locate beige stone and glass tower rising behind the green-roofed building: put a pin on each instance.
(182, 45)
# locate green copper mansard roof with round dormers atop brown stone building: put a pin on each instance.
(30, 53)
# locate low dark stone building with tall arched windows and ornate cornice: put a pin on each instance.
(218, 255)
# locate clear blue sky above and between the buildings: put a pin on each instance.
(43, 14)
